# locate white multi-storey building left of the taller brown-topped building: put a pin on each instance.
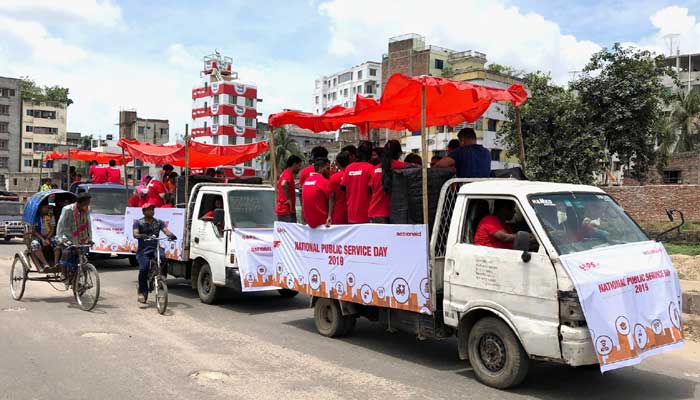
(340, 88)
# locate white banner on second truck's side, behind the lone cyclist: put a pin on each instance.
(174, 219)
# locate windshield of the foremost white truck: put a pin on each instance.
(582, 221)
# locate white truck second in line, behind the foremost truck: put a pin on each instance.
(209, 258)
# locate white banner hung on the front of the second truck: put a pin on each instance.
(254, 258)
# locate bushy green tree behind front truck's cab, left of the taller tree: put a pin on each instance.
(559, 146)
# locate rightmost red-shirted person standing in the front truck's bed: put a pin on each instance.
(380, 202)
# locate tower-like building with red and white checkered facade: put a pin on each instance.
(224, 111)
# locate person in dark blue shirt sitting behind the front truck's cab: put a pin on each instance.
(470, 160)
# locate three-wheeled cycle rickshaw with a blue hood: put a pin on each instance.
(80, 275)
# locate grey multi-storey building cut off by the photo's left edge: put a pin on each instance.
(10, 126)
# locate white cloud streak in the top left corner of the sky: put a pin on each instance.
(45, 48)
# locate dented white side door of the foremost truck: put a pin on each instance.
(499, 279)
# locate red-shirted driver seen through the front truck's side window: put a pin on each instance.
(493, 231)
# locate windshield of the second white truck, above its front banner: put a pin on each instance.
(252, 208)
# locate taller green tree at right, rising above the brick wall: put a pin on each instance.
(622, 95)
